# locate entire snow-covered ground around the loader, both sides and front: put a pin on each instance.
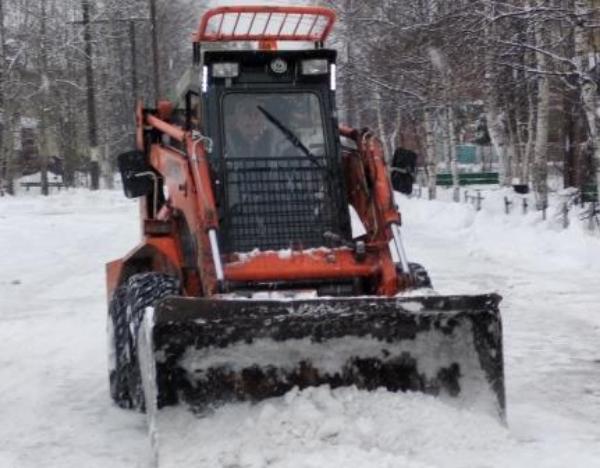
(55, 410)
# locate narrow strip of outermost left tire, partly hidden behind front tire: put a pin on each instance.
(118, 349)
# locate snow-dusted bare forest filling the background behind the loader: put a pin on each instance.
(415, 72)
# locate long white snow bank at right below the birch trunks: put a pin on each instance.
(490, 233)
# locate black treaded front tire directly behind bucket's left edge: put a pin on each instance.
(143, 290)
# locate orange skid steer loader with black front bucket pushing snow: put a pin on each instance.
(271, 253)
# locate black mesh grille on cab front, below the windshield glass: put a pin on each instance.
(274, 203)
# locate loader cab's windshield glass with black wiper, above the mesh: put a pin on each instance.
(261, 125)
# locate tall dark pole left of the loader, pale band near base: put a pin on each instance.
(91, 98)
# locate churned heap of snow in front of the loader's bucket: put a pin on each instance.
(319, 428)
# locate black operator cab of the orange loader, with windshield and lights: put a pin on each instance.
(275, 154)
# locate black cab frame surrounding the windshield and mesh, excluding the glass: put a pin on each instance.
(256, 77)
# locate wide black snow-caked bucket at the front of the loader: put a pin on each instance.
(210, 351)
